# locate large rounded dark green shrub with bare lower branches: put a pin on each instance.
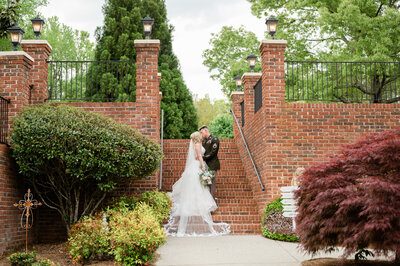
(73, 157)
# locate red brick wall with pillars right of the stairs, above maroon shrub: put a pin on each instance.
(284, 136)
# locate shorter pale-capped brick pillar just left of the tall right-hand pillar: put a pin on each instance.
(249, 81)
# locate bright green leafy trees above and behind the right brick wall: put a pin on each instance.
(342, 30)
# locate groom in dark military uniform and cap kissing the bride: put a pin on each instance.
(211, 146)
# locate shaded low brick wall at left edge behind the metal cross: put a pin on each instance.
(12, 190)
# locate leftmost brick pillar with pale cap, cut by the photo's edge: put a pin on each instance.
(15, 69)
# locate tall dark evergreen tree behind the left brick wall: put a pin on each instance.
(115, 41)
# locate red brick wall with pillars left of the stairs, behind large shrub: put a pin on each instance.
(22, 70)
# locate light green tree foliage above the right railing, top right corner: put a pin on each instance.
(340, 30)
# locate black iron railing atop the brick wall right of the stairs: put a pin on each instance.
(348, 82)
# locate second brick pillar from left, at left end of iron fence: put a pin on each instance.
(40, 51)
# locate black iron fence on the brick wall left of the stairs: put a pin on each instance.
(92, 81)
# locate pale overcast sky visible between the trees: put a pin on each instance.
(194, 21)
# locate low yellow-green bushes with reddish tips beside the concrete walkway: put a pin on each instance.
(129, 230)
